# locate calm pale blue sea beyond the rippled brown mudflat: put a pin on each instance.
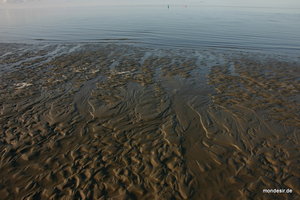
(182, 24)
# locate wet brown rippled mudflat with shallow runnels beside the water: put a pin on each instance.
(83, 121)
